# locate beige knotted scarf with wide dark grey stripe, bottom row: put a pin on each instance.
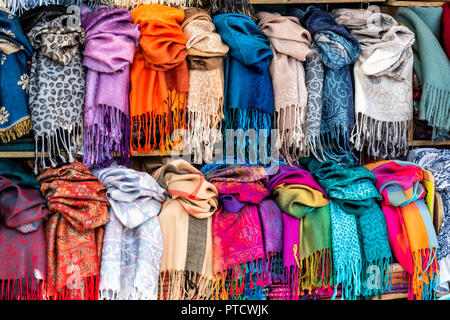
(185, 219)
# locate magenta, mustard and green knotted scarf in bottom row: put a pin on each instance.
(307, 254)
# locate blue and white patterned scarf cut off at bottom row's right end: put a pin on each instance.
(437, 161)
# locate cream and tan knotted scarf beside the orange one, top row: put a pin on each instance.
(206, 53)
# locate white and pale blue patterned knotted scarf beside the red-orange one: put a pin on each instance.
(133, 242)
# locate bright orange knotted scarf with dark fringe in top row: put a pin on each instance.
(159, 79)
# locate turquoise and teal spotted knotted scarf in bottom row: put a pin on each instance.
(360, 245)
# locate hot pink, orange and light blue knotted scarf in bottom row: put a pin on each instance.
(410, 228)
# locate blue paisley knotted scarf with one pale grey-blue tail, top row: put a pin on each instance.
(329, 82)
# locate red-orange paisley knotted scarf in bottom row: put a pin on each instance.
(74, 232)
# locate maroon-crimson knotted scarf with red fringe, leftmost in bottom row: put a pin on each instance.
(22, 241)
